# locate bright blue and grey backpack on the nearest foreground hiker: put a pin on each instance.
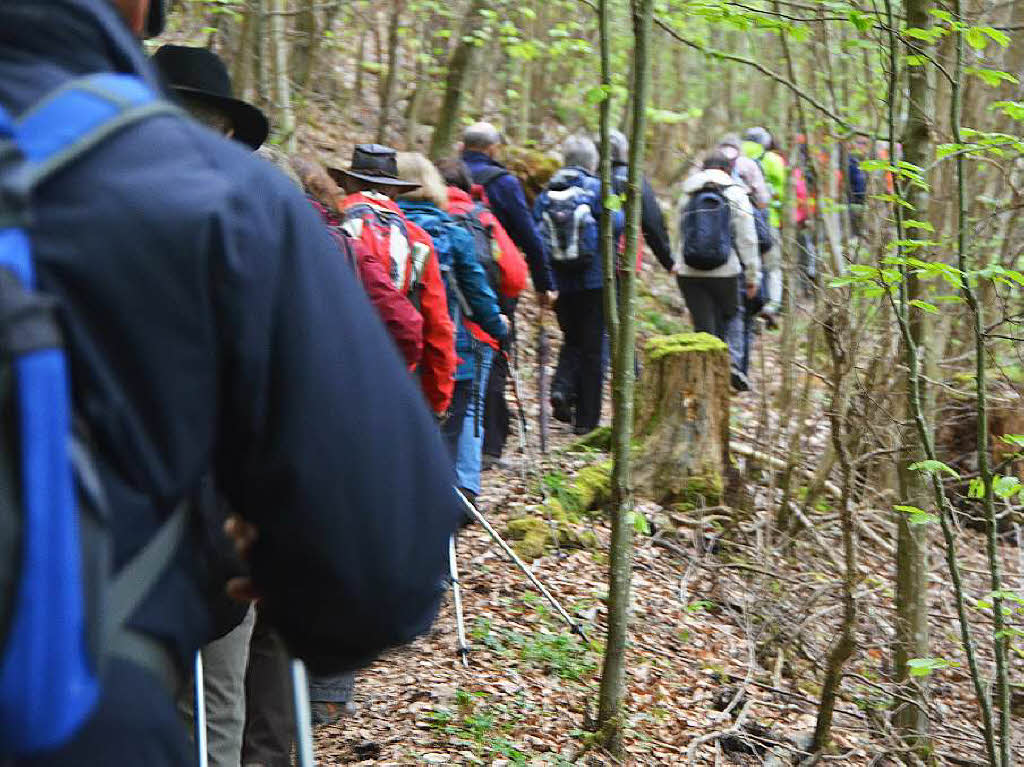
(62, 610)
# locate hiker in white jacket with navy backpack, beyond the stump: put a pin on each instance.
(718, 259)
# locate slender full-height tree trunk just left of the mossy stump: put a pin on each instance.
(613, 695)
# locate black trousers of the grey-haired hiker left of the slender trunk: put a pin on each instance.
(580, 375)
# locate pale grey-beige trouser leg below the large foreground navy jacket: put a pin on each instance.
(225, 664)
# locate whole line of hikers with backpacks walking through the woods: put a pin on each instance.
(318, 356)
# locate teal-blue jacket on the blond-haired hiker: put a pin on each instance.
(457, 252)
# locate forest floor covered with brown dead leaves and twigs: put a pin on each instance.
(730, 636)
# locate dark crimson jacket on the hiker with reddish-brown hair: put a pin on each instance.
(400, 317)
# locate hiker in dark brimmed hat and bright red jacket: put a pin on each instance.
(370, 216)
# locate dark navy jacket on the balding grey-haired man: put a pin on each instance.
(509, 206)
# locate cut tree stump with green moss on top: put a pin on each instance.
(682, 420)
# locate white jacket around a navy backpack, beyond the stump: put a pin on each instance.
(745, 236)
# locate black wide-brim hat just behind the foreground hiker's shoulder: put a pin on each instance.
(199, 74)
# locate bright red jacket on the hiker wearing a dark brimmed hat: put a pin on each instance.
(439, 361)
